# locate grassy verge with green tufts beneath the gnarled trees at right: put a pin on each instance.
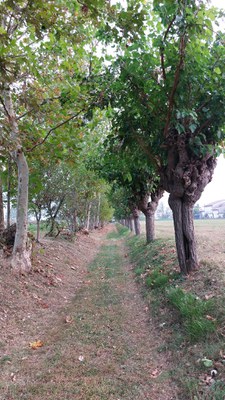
(192, 324)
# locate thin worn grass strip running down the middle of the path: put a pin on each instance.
(97, 332)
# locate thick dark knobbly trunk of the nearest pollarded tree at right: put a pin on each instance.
(185, 178)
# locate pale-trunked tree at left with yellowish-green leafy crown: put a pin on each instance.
(41, 83)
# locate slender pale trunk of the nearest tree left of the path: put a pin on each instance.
(21, 257)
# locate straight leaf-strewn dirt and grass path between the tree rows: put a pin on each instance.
(100, 346)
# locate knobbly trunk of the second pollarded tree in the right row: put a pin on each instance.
(149, 208)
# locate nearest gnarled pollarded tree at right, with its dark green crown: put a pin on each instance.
(170, 84)
